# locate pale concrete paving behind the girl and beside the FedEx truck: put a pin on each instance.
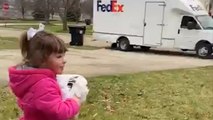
(106, 61)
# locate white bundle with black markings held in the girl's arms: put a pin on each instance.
(73, 85)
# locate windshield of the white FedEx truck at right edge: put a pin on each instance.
(206, 22)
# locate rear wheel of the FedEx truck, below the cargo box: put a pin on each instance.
(123, 44)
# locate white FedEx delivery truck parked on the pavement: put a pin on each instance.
(178, 24)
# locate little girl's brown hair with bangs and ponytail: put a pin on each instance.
(36, 50)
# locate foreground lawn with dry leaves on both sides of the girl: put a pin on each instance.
(185, 94)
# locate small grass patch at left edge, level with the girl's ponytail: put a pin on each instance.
(9, 43)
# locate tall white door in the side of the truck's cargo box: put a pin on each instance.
(153, 23)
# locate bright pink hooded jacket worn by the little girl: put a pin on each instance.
(39, 95)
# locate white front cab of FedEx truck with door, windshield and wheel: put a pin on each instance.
(196, 33)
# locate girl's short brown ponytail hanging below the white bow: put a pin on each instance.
(24, 45)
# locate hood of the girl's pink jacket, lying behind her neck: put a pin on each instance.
(22, 80)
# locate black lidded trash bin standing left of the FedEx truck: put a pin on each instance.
(77, 34)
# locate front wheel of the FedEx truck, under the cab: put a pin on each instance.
(204, 50)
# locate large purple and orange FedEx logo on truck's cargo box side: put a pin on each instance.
(112, 7)
